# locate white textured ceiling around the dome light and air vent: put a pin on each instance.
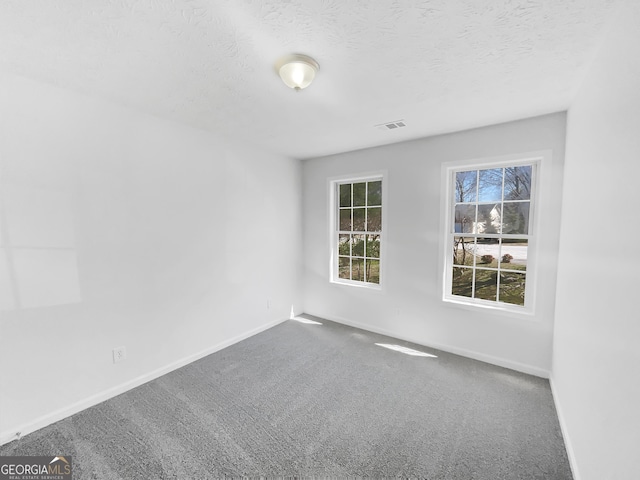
(440, 65)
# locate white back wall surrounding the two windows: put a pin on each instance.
(410, 305)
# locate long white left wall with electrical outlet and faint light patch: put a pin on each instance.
(127, 230)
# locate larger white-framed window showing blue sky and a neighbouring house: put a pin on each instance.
(489, 234)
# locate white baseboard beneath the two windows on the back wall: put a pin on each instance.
(501, 362)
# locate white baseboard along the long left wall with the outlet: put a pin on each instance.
(60, 414)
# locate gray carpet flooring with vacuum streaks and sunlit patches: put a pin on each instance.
(307, 400)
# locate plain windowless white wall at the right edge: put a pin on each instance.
(596, 359)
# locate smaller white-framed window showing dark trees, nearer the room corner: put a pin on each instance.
(357, 231)
